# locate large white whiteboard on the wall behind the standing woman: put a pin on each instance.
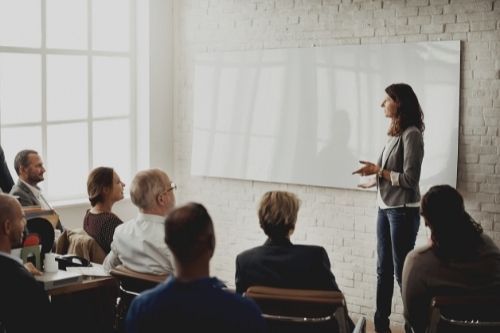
(307, 115)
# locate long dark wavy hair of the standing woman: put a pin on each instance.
(409, 112)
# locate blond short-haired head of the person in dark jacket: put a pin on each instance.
(278, 213)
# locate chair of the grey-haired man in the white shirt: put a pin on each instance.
(132, 283)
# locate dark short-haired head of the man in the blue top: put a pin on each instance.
(189, 233)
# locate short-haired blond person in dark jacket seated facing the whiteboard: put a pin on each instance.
(279, 263)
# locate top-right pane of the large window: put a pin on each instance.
(106, 35)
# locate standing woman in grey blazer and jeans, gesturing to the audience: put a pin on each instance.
(397, 178)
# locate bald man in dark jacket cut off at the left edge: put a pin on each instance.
(24, 306)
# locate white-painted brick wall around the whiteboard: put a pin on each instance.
(340, 220)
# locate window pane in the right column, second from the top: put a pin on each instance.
(110, 86)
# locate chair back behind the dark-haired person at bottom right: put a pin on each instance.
(471, 313)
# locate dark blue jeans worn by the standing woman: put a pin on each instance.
(397, 230)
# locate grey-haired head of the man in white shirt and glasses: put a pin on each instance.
(146, 186)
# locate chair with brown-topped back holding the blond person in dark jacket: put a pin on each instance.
(296, 310)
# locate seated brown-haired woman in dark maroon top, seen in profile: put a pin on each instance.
(104, 188)
